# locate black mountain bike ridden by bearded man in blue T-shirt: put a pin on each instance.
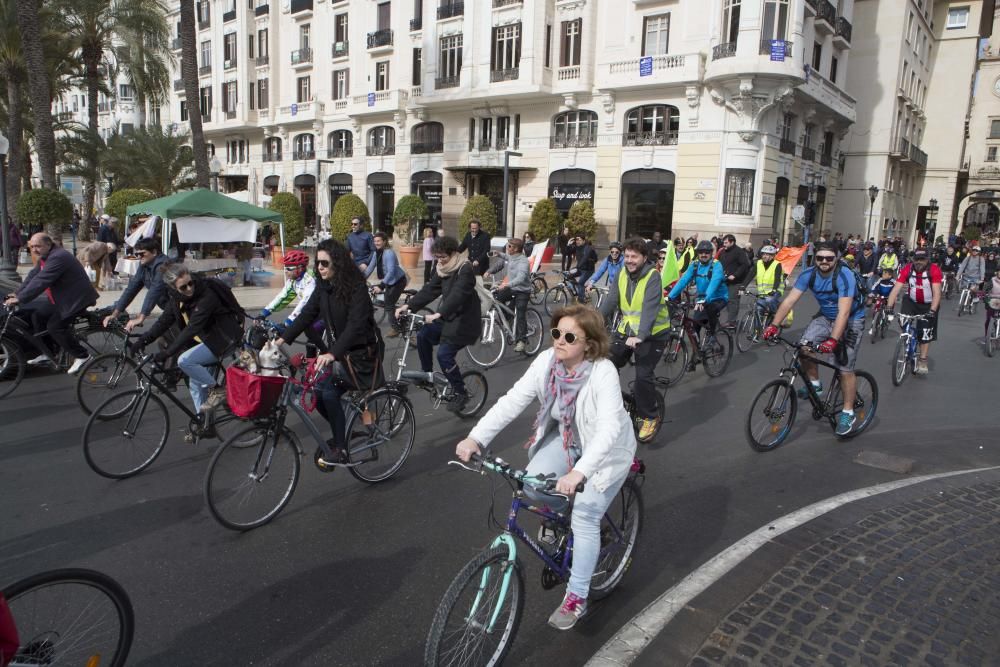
(772, 412)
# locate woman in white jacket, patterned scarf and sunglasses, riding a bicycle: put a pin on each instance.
(582, 434)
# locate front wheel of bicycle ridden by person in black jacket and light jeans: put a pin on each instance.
(126, 433)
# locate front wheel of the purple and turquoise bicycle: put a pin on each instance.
(479, 614)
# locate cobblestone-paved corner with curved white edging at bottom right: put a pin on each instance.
(908, 576)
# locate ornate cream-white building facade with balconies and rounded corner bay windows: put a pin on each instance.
(691, 117)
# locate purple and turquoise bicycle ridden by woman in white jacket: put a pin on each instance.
(478, 617)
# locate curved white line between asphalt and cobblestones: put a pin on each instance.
(626, 645)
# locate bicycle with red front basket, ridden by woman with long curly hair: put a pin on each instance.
(248, 486)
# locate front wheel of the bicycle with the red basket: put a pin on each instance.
(246, 487)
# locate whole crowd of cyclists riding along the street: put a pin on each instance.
(581, 433)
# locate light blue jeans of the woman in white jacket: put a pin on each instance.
(588, 508)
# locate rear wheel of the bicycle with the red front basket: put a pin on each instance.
(380, 448)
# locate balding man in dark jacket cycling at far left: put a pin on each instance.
(67, 293)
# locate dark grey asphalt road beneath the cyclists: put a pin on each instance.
(350, 574)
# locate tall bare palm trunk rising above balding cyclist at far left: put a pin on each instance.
(38, 83)
